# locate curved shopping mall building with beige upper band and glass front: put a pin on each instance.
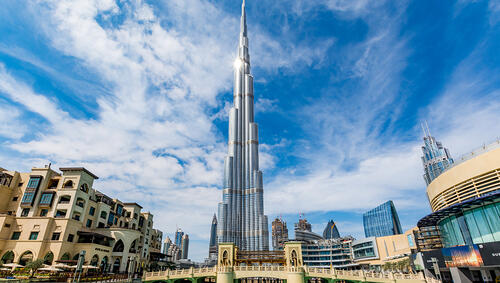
(465, 200)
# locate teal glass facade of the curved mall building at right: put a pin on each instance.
(472, 226)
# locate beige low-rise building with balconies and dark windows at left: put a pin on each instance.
(53, 216)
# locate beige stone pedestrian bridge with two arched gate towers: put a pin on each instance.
(234, 266)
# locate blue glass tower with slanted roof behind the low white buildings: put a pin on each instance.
(382, 221)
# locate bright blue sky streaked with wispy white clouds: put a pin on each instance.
(138, 92)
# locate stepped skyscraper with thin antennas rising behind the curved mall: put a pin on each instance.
(436, 158)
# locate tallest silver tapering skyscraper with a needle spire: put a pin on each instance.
(241, 213)
